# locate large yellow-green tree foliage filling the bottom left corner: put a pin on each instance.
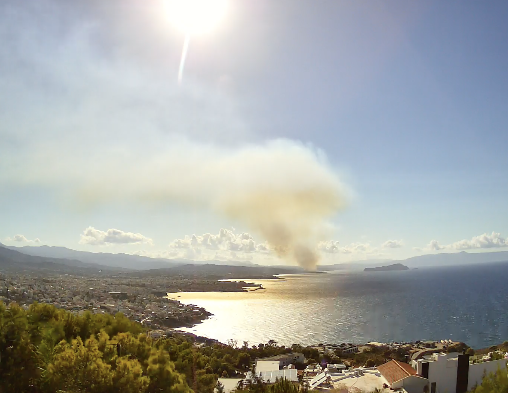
(45, 349)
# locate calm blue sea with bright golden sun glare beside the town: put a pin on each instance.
(461, 303)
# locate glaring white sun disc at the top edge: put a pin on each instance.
(195, 17)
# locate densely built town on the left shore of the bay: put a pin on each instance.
(140, 301)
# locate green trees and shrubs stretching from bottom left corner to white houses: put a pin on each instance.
(45, 349)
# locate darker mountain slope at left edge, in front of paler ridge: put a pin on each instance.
(13, 260)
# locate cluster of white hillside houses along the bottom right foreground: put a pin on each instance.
(433, 367)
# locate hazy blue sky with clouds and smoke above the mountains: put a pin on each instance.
(358, 130)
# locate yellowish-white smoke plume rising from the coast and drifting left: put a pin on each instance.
(281, 190)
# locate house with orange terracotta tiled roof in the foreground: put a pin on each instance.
(400, 375)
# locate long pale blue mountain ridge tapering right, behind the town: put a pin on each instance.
(127, 261)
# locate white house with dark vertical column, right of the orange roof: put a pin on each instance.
(454, 372)
